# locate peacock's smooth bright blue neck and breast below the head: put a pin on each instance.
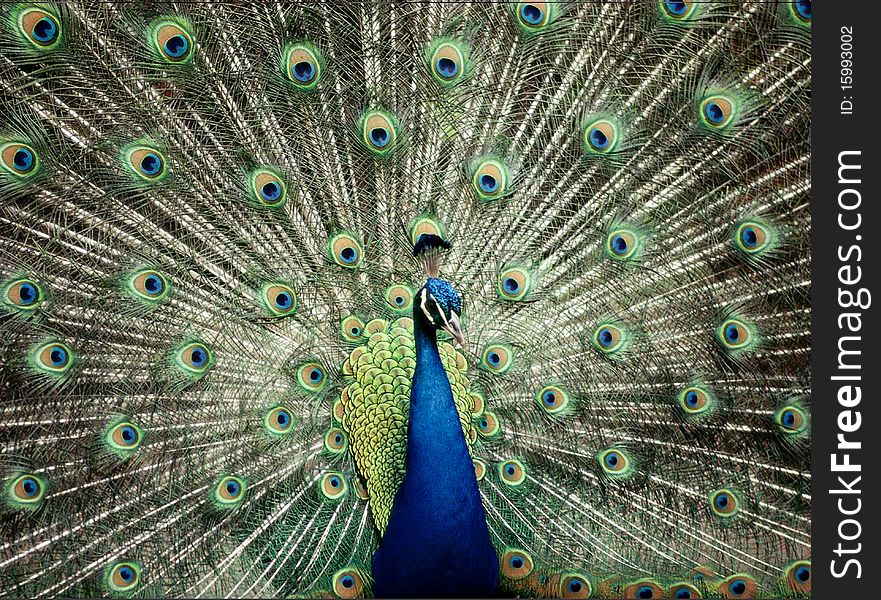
(437, 542)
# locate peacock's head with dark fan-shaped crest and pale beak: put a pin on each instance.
(437, 304)
